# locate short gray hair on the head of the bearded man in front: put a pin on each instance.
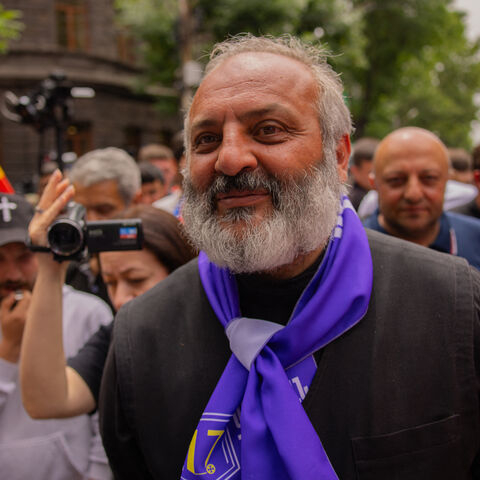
(333, 115)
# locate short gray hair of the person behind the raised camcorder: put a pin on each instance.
(108, 164)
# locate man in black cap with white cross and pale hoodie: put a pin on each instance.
(40, 449)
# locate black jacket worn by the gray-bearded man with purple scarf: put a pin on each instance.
(396, 397)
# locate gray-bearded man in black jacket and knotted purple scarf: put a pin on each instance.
(296, 347)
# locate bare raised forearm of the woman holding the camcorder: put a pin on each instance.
(42, 361)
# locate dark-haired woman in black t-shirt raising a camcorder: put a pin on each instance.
(53, 387)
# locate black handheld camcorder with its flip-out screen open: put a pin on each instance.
(71, 237)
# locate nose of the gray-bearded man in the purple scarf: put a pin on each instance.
(235, 153)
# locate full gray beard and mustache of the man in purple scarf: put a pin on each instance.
(303, 216)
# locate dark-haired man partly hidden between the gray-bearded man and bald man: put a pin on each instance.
(361, 165)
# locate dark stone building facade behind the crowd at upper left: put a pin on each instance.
(79, 38)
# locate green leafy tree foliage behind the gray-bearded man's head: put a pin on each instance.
(402, 62)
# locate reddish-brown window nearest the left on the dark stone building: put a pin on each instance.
(72, 24)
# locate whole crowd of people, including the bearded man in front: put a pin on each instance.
(299, 308)
